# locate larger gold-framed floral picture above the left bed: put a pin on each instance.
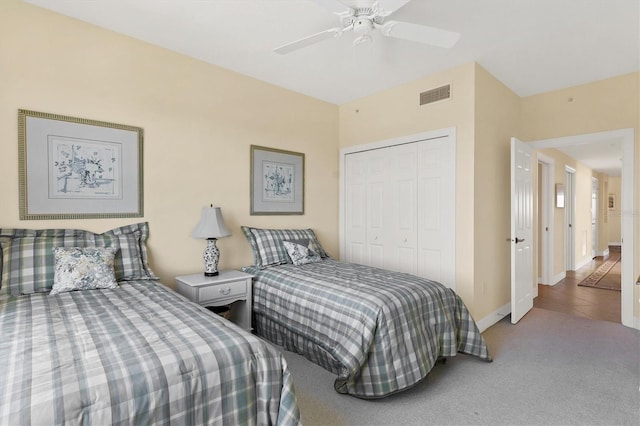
(74, 168)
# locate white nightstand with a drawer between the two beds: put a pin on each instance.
(224, 289)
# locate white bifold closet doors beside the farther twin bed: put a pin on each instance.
(400, 208)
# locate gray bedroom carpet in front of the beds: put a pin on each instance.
(551, 368)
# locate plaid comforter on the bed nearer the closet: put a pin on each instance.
(379, 331)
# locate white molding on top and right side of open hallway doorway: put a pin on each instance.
(627, 137)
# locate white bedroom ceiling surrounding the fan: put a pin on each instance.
(532, 46)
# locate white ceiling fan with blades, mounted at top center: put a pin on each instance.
(365, 16)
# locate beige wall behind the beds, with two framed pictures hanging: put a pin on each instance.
(199, 121)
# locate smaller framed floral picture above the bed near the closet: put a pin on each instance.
(277, 181)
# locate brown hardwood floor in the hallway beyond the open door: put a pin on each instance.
(568, 297)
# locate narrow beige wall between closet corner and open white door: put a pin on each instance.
(497, 119)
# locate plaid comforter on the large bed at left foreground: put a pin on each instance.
(138, 354)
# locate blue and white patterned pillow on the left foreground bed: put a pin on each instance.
(83, 268)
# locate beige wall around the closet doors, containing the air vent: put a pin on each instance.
(396, 112)
